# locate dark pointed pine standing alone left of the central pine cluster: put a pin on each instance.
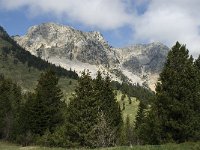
(45, 110)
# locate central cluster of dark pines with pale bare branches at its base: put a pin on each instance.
(90, 99)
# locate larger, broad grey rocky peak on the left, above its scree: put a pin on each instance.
(49, 40)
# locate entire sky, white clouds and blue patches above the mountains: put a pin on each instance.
(122, 22)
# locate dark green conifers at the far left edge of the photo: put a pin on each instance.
(10, 104)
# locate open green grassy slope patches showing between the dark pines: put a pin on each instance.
(27, 78)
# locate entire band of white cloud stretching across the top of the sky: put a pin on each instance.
(166, 21)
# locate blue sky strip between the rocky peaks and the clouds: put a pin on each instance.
(17, 23)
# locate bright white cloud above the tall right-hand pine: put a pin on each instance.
(169, 21)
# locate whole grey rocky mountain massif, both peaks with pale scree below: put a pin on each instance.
(70, 48)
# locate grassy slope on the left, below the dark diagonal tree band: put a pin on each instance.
(25, 77)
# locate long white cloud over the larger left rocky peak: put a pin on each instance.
(103, 14)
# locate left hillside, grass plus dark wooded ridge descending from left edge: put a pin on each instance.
(23, 67)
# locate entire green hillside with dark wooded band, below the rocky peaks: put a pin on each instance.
(25, 69)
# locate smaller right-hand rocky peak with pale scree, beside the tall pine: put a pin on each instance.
(143, 61)
